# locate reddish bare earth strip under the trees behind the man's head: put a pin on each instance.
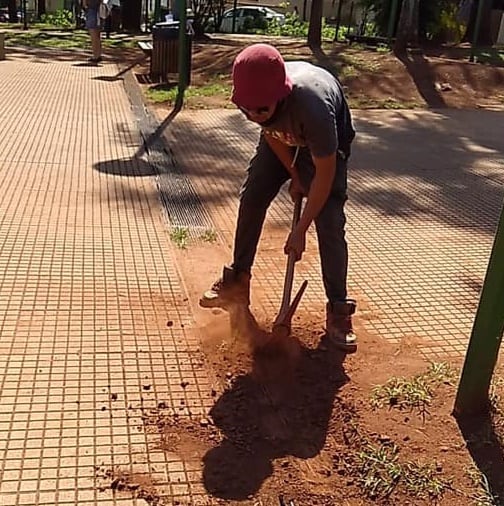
(371, 79)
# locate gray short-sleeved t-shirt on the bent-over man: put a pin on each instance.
(315, 114)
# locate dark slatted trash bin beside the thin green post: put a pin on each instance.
(165, 51)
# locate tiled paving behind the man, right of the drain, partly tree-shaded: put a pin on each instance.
(425, 194)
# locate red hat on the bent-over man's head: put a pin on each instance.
(259, 77)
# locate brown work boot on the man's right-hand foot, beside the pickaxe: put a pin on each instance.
(339, 325)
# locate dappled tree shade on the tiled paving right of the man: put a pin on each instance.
(445, 166)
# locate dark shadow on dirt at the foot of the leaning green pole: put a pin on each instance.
(486, 450)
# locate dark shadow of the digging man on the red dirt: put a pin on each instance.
(281, 408)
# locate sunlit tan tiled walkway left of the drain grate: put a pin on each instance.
(87, 287)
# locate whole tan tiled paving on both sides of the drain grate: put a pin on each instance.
(95, 324)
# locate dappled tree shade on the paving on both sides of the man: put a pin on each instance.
(441, 167)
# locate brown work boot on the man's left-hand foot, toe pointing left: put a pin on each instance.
(232, 288)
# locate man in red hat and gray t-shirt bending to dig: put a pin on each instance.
(306, 136)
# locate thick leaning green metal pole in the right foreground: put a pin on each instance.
(486, 336)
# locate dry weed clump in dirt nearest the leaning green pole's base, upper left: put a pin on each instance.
(412, 393)
